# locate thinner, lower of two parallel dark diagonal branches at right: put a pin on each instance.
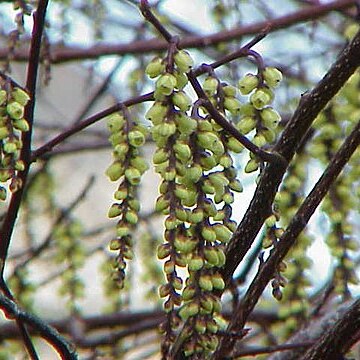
(287, 240)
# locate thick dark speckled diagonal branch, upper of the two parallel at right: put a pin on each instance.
(309, 107)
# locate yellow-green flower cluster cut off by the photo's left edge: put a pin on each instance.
(12, 125)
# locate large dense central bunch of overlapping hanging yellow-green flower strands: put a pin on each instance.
(198, 178)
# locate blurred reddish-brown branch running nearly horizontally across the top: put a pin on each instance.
(61, 54)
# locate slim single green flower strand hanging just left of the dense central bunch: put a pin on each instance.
(128, 166)
